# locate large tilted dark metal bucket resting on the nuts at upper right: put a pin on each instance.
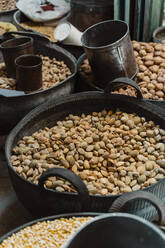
(109, 50)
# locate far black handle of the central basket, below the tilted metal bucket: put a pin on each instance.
(123, 81)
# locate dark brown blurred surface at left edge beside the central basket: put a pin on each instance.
(12, 213)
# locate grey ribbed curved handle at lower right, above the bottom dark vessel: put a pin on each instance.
(120, 203)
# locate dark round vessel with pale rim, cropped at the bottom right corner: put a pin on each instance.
(119, 231)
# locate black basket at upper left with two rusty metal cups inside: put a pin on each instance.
(14, 108)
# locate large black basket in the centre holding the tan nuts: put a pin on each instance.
(41, 201)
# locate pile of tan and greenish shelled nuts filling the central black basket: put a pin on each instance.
(112, 153)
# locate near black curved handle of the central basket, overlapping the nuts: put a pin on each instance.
(70, 176)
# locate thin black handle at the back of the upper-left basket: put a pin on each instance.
(35, 35)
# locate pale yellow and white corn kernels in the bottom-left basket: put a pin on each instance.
(46, 234)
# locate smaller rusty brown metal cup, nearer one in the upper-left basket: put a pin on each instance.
(28, 72)
